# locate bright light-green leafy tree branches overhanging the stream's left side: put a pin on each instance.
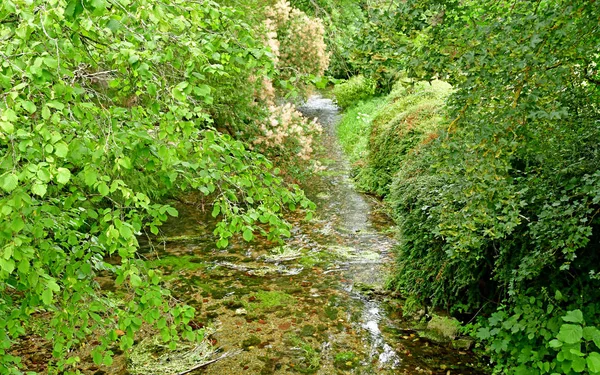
(107, 107)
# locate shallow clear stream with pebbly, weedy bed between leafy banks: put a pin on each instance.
(315, 305)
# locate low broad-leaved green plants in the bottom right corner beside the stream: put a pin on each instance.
(535, 338)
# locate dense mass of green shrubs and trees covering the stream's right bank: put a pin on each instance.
(495, 183)
